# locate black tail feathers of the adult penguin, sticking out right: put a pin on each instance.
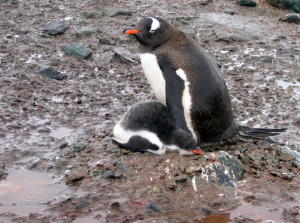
(246, 133)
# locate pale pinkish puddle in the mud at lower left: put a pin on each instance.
(24, 192)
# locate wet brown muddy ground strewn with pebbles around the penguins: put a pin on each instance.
(56, 157)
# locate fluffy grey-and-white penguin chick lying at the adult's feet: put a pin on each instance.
(147, 127)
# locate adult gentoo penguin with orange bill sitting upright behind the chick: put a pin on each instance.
(185, 79)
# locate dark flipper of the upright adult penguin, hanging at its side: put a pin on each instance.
(174, 92)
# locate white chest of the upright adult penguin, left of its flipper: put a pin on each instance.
(154, 76)
